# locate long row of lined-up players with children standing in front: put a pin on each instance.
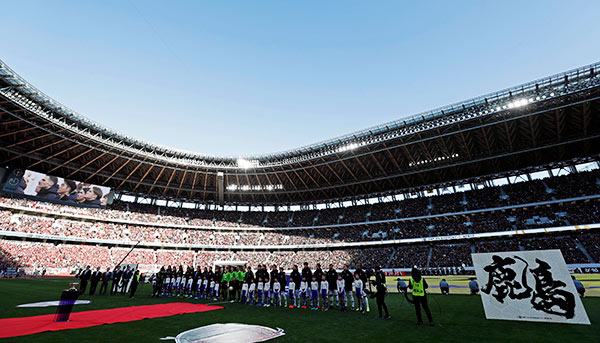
(317, 290)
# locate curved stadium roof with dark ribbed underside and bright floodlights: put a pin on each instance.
(549, 120)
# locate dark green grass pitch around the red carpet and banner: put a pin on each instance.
(459, 318)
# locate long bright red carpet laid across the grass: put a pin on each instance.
(11, 327)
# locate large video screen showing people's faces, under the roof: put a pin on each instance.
(56, 189)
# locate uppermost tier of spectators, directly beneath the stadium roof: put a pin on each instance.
(560, 187)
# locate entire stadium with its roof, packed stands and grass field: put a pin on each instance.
(514, 170)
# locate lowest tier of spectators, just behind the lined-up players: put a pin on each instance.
(68, 257)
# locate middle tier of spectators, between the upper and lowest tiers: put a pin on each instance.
(559, 214)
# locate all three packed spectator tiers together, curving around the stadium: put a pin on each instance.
(492, 209)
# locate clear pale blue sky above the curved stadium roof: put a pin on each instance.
(251, 77)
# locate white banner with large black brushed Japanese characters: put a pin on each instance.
(528, 285)
